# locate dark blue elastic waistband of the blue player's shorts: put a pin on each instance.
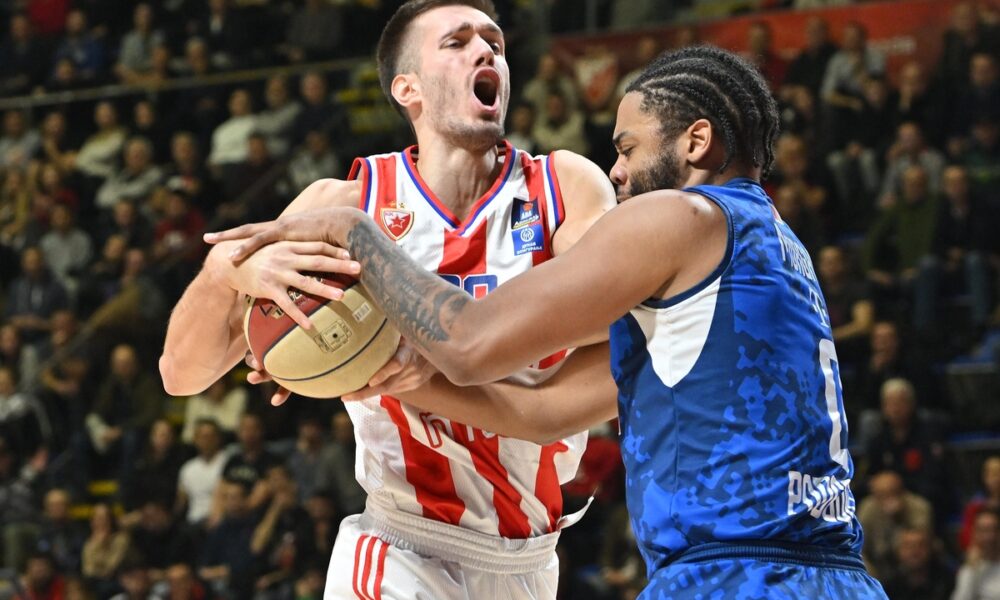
(770, 551)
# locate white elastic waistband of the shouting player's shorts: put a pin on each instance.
(492, 554)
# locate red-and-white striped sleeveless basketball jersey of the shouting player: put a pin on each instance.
(425, 464)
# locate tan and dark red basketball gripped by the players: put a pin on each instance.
(350, 341)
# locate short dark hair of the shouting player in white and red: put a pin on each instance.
(389, 52)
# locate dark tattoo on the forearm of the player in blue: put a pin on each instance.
(420, 303)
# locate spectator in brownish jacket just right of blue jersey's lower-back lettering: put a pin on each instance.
(889, 509)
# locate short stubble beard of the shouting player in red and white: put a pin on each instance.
(465, 132)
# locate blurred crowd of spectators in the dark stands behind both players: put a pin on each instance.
(110, 488)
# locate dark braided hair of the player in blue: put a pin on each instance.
(708, 82)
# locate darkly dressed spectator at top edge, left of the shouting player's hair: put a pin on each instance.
(315, 32)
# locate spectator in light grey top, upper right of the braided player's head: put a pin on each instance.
(846, 74)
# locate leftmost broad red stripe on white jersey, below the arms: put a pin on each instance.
(427, 471)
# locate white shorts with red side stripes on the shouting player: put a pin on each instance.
(389, 555)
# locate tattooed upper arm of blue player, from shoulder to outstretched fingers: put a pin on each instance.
(653, 245)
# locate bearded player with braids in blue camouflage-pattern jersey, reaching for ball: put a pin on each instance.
(732, 424)
